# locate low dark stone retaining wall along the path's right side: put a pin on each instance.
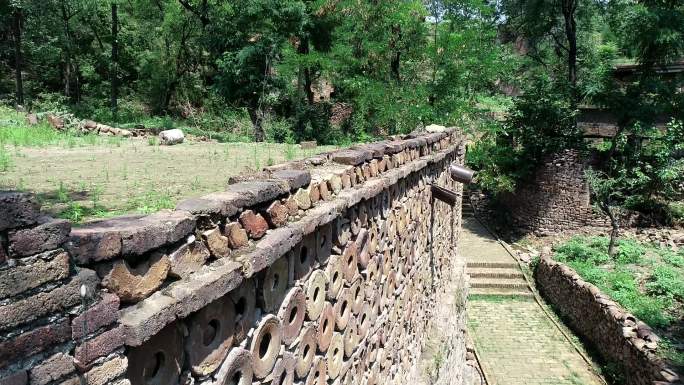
(617, 335)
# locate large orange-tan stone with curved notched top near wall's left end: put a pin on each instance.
(134, 284)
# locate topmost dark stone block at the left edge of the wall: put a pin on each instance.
(18, 210)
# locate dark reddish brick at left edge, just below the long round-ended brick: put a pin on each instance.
(34, 341)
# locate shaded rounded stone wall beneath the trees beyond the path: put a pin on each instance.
(556, 199)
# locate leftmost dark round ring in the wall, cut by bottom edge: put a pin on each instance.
(159, 360)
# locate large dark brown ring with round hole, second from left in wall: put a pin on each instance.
(210, 335)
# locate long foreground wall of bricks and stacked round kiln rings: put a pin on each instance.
(320, 271)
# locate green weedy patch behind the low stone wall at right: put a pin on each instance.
(646, 279)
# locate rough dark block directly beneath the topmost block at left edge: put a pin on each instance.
(47, 236)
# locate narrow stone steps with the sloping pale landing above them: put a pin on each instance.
(492, 270)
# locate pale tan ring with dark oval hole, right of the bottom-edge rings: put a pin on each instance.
(265, 346)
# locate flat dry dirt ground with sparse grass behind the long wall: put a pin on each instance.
(134, 175)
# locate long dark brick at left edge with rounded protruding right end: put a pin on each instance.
(42, 304)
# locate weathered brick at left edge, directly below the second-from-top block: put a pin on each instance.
(33, 272)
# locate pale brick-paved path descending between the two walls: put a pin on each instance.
(516, 342)
